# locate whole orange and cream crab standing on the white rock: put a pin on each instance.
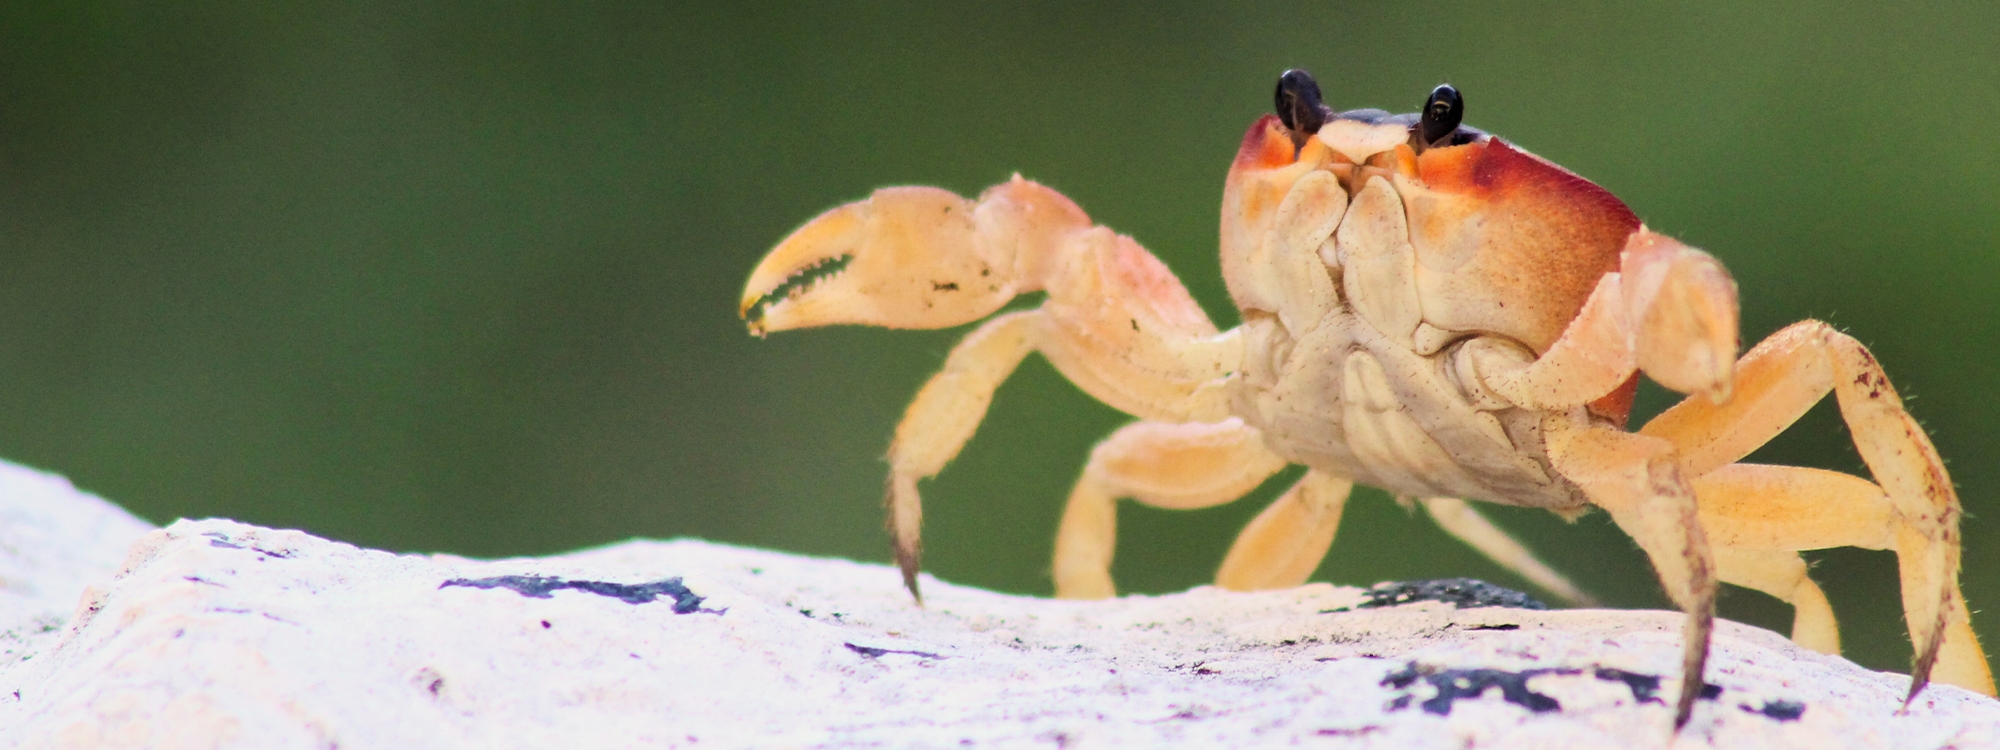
(1425, 309)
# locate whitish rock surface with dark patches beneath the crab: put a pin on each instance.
(221, 635)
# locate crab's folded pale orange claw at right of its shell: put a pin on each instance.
(1683, 307)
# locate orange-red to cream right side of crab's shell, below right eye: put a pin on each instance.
(1513, 241)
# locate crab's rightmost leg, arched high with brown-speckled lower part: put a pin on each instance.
(1777, 383)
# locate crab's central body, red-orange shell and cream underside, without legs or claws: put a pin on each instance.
(1431, 249)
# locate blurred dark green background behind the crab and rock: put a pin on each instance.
(463, 275)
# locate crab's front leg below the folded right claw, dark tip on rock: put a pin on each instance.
(1641, 483)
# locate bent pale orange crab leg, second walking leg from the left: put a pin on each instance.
(1179, 467)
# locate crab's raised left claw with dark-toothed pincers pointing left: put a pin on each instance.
(909, 259)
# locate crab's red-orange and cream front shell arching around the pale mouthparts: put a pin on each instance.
(1505, 241)
